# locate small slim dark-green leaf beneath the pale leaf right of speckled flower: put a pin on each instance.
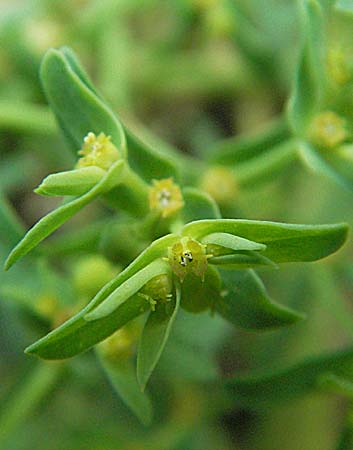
(245, 259)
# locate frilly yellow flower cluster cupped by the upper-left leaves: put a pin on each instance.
(98, 151)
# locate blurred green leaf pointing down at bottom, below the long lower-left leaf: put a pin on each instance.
(122, 377)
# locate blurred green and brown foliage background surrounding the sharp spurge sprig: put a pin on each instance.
(183, 74)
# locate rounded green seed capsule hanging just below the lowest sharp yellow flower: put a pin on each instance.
(198, 295)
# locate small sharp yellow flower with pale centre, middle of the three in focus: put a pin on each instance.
(165, 197)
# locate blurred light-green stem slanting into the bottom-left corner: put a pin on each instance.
(26, 399)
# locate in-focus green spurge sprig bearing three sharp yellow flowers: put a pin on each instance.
(181, 254)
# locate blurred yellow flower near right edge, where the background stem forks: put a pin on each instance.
(328, 129)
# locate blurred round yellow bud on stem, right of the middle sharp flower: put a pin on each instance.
(220, 183)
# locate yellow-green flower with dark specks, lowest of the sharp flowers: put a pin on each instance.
(188, 256)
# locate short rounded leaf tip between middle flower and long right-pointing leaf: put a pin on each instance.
(198, 205)
